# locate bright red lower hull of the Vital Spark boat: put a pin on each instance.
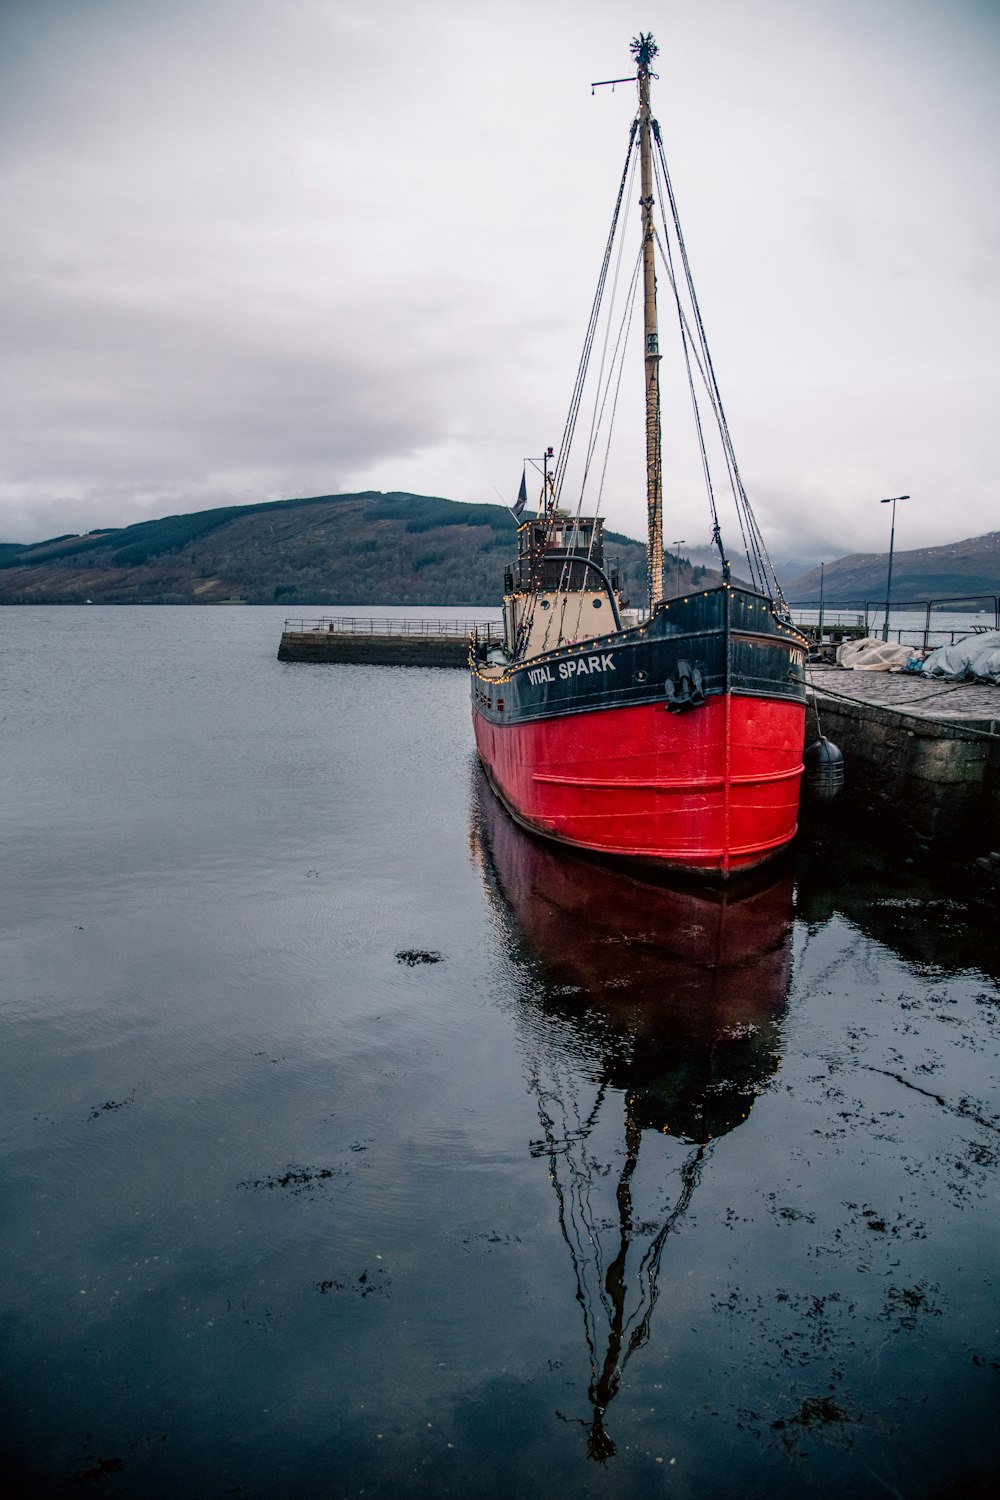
(714, 791)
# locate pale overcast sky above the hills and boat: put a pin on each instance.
(269, 248)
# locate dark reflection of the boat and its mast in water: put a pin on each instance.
(648, 1012)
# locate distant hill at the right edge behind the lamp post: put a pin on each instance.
(956, 569)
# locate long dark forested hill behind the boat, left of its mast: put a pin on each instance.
(368, 548)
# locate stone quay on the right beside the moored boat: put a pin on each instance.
(923, 757)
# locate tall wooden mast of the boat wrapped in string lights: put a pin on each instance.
(644, 52)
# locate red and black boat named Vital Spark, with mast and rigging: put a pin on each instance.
(674, 737)
